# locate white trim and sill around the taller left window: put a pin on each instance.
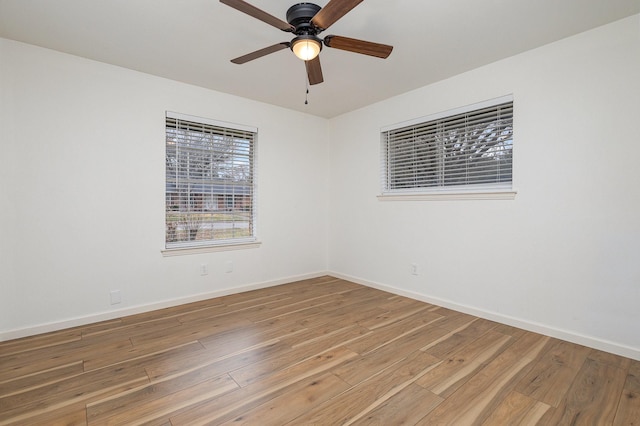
(209, 246)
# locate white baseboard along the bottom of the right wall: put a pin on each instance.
(569, 336)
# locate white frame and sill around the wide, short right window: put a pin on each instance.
(485, 191)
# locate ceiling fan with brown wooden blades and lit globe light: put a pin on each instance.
(306, 21)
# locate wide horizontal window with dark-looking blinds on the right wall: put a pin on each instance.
(465, 151)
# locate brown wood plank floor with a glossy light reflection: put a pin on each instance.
(316, 352)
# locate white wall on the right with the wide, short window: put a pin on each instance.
(563, 257)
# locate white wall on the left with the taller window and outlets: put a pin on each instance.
(82, 196)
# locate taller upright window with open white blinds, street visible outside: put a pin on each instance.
(210, 186)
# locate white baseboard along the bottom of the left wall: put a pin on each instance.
(105, 316)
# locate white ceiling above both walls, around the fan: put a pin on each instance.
(193, 40)
